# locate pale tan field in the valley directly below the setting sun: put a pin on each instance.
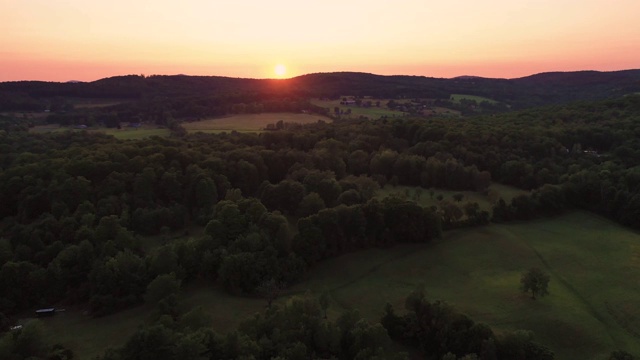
(250, 122)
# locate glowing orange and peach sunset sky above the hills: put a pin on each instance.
(88, 40)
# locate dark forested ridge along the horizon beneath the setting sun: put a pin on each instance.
(540, 89)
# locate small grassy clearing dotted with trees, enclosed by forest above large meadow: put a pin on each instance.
(424, 198)
